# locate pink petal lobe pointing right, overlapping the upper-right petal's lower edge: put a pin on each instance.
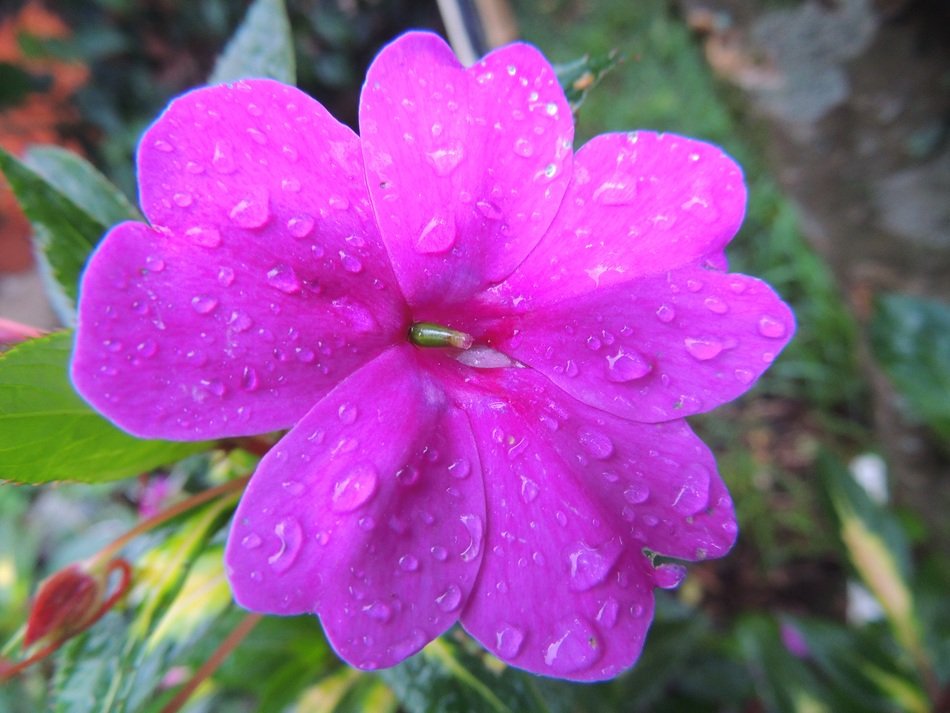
(655, 348)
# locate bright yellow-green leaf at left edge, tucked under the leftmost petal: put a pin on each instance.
(47, 432)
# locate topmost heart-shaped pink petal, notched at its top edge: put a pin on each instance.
(466, 167)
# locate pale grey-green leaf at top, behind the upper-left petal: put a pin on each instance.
(262, 47)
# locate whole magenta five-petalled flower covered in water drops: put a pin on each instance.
(483, 345)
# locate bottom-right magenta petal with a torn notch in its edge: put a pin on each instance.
(574, 496)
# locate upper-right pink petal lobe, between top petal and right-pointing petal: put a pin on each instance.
(639, 204)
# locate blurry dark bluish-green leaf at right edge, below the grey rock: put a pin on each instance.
(910, 337)
